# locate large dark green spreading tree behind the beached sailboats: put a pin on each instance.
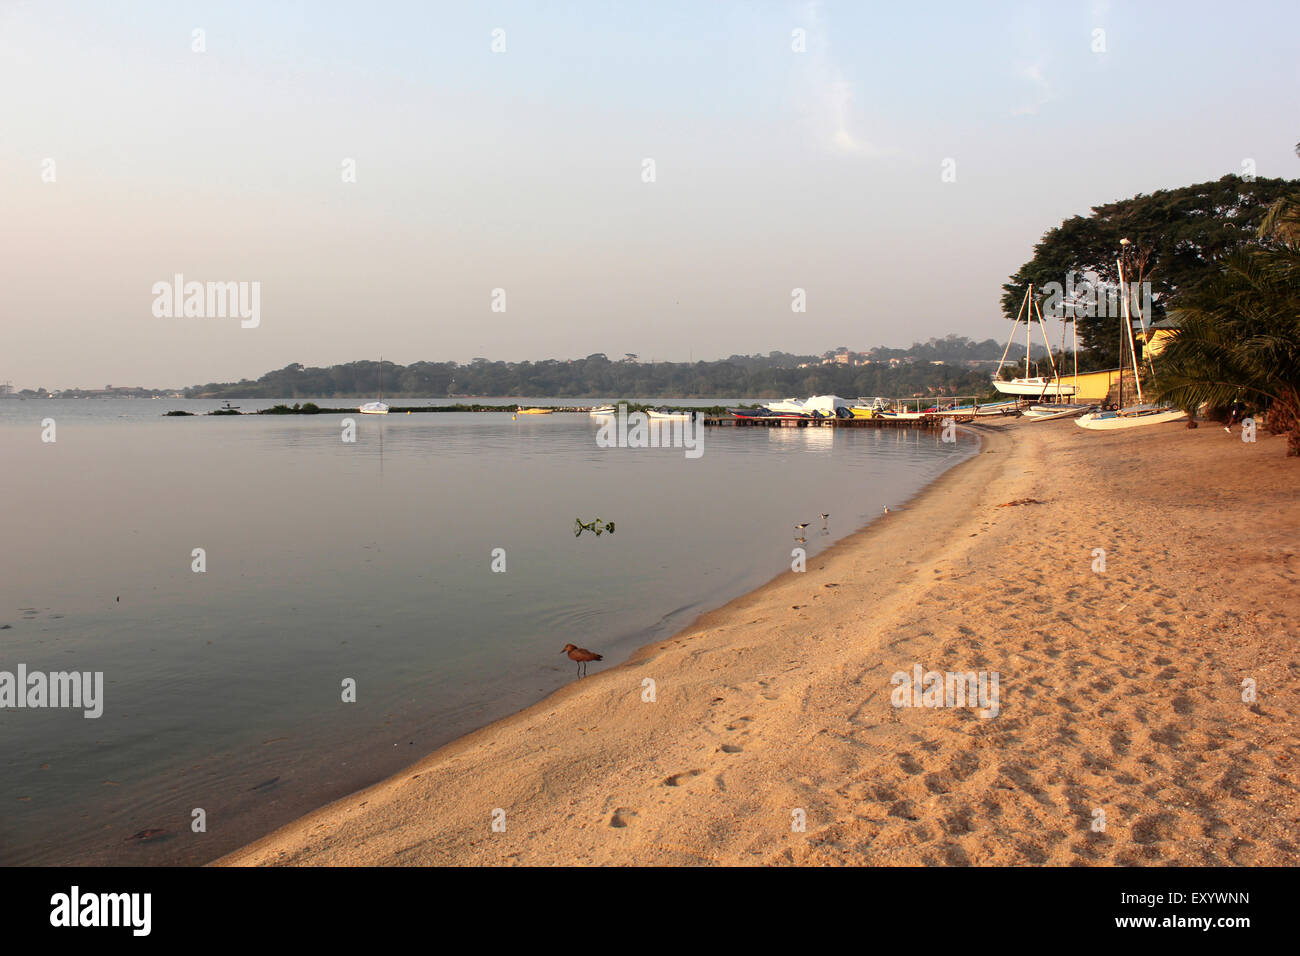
(1180, 237)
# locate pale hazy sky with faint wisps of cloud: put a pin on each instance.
(380, 170)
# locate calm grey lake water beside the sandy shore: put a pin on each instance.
(370, 561)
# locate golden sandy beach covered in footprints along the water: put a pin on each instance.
(1121, 734)
